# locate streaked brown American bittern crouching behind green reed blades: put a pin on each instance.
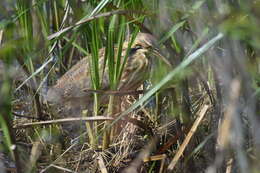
(71, 85)
